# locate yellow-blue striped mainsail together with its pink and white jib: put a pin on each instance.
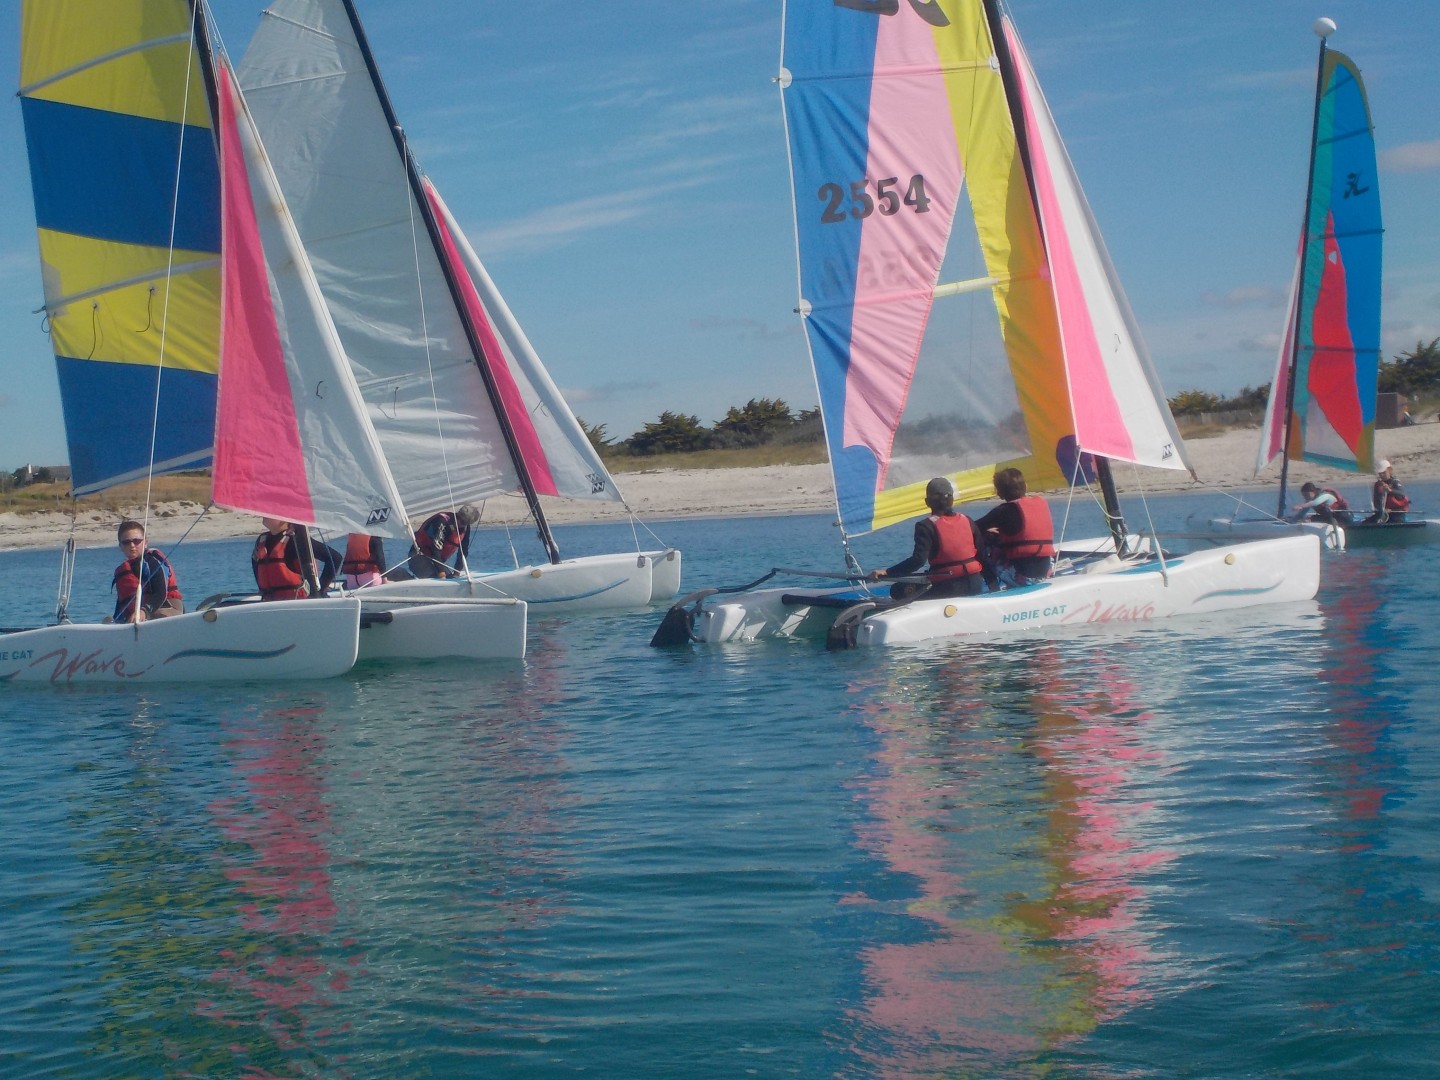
(174, 279)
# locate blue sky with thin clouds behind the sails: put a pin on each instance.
(621, 171)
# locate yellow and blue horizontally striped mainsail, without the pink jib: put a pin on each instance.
(123, 166)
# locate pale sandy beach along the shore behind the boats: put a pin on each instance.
(1225, 462)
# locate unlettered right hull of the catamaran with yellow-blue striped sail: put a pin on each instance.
(464, 630)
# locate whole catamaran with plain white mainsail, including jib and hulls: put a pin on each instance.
(463, 405)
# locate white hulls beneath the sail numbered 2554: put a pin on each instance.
(1110, 593)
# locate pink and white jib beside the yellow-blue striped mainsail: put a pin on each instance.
(292, 438)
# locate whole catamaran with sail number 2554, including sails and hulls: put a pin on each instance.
(888, 107)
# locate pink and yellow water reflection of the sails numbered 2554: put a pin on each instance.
(1004, 791)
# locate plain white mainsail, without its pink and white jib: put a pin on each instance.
(349, 191)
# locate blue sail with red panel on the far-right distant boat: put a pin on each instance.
(1331, 351)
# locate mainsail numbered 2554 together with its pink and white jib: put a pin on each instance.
(909, 385)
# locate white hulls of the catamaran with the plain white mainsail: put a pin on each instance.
(598, 582)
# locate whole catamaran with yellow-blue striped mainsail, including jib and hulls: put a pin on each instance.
(185, 319)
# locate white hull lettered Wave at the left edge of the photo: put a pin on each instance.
(264, 642)
